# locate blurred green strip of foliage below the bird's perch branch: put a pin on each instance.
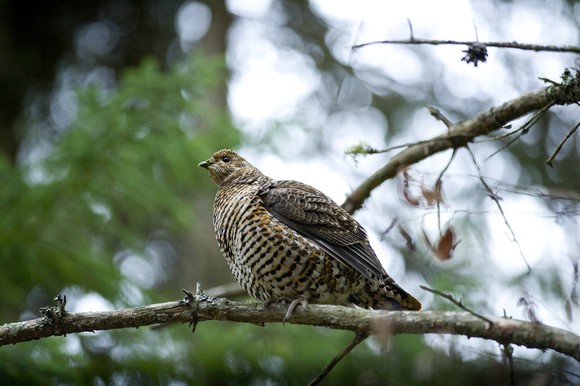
(222, 353)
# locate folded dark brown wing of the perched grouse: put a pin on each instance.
(318, 218)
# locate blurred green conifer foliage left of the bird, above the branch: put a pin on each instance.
(119, 176)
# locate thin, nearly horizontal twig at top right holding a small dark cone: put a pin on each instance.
(515, 45)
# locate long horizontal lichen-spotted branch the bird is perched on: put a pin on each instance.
(371, 322)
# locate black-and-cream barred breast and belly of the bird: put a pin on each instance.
(268, 258)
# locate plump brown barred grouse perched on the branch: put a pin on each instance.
(285, 241)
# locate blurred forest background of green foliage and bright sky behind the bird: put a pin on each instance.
(108, 106)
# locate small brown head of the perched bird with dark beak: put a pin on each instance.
(226, 166)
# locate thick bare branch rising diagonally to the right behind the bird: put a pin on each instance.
(463, 133)
